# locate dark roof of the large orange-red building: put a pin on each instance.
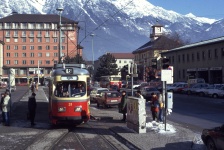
(36, 18)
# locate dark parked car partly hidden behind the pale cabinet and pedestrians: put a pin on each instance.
(147, 92)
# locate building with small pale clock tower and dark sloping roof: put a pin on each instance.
(151, 50)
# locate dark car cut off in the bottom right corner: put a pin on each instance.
(213, 138)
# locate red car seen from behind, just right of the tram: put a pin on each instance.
(108, 98)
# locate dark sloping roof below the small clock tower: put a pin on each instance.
(161, 43)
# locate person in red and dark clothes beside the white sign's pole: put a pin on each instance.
(154, 106)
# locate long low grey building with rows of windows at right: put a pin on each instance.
(198, 60)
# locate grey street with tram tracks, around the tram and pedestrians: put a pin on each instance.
(192, 112)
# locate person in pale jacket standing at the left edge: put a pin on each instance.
(6, 108)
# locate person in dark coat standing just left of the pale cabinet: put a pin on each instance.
(123, 105)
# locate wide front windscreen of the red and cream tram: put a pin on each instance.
(70, 89)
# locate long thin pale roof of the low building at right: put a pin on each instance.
(202, 43)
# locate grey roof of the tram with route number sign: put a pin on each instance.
(70, 69)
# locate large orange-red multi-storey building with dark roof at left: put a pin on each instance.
(31, 41)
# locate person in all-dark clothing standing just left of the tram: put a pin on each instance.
(32, 108)
